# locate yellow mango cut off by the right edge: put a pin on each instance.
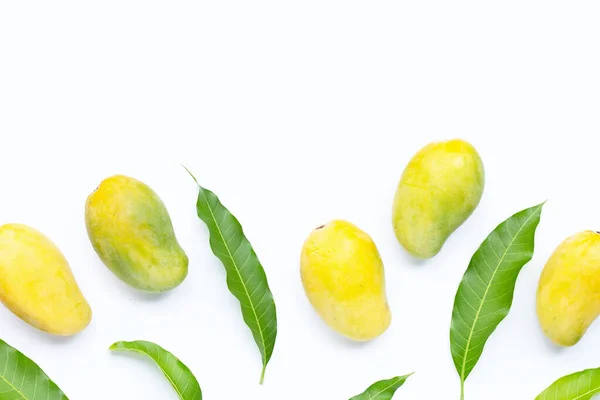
(568, 296)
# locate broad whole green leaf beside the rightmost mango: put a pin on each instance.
(485, 294)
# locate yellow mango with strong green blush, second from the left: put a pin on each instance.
(132, 233)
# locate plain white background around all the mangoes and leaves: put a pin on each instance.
(296, 113)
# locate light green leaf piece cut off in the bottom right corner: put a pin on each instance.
(582, 385)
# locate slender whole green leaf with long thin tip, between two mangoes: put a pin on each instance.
(246, 278)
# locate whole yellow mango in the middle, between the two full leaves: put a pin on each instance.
(343, 278)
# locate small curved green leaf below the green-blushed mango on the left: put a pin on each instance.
(180, 376)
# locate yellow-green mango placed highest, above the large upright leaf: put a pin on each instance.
(439, 189)
